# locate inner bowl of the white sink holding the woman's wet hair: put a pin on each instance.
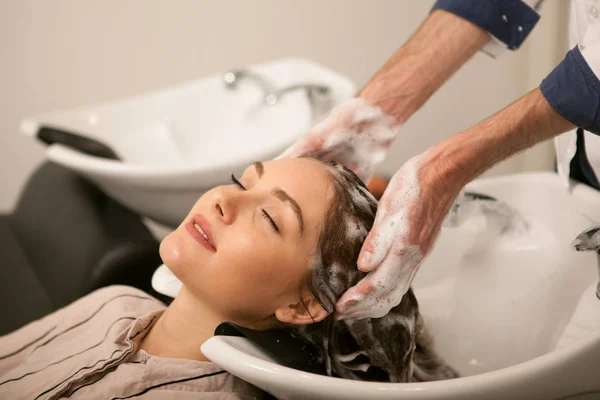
(496, 301)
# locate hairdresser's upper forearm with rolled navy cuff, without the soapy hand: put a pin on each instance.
(453, 32)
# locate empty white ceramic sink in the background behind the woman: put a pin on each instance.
(178, 142)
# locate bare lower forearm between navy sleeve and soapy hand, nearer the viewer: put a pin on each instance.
(462, 157)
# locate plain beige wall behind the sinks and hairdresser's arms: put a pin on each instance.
(64, 53)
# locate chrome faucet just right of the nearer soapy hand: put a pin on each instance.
(467, 203)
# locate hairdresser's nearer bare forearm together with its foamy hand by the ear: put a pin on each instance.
(420, 194)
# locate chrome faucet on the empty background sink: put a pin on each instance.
(319, 96)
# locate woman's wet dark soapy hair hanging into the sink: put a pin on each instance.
(394, 348)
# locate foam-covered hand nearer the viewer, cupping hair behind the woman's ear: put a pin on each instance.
(408, 220)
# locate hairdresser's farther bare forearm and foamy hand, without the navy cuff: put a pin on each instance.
(359, 133)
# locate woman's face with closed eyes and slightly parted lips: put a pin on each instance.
(261, 239)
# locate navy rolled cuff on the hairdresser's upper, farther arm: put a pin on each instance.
(510, 21)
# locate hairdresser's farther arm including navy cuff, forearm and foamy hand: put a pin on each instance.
(359, 133)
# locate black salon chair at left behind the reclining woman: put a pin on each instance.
(65, 239)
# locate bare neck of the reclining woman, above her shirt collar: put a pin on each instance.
(182, 328)
